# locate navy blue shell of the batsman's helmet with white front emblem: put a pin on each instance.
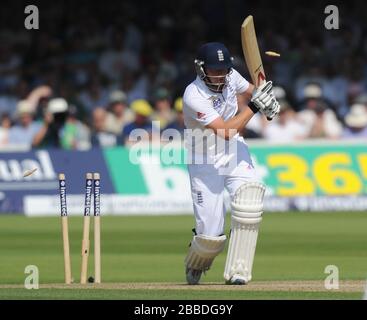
(215, 55)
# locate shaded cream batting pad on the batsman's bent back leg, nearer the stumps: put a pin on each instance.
(203, 250)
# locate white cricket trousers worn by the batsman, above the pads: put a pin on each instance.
(208, 185)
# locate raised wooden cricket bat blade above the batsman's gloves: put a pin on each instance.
(251, 52)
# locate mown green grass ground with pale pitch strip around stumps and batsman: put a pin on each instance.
(149, 252)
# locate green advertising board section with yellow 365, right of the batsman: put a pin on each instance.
(309, 170)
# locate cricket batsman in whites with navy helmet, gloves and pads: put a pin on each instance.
(210, 106)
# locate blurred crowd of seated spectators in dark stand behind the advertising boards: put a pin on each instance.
(94, 72)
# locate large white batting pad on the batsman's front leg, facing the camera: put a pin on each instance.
(247, 208)
